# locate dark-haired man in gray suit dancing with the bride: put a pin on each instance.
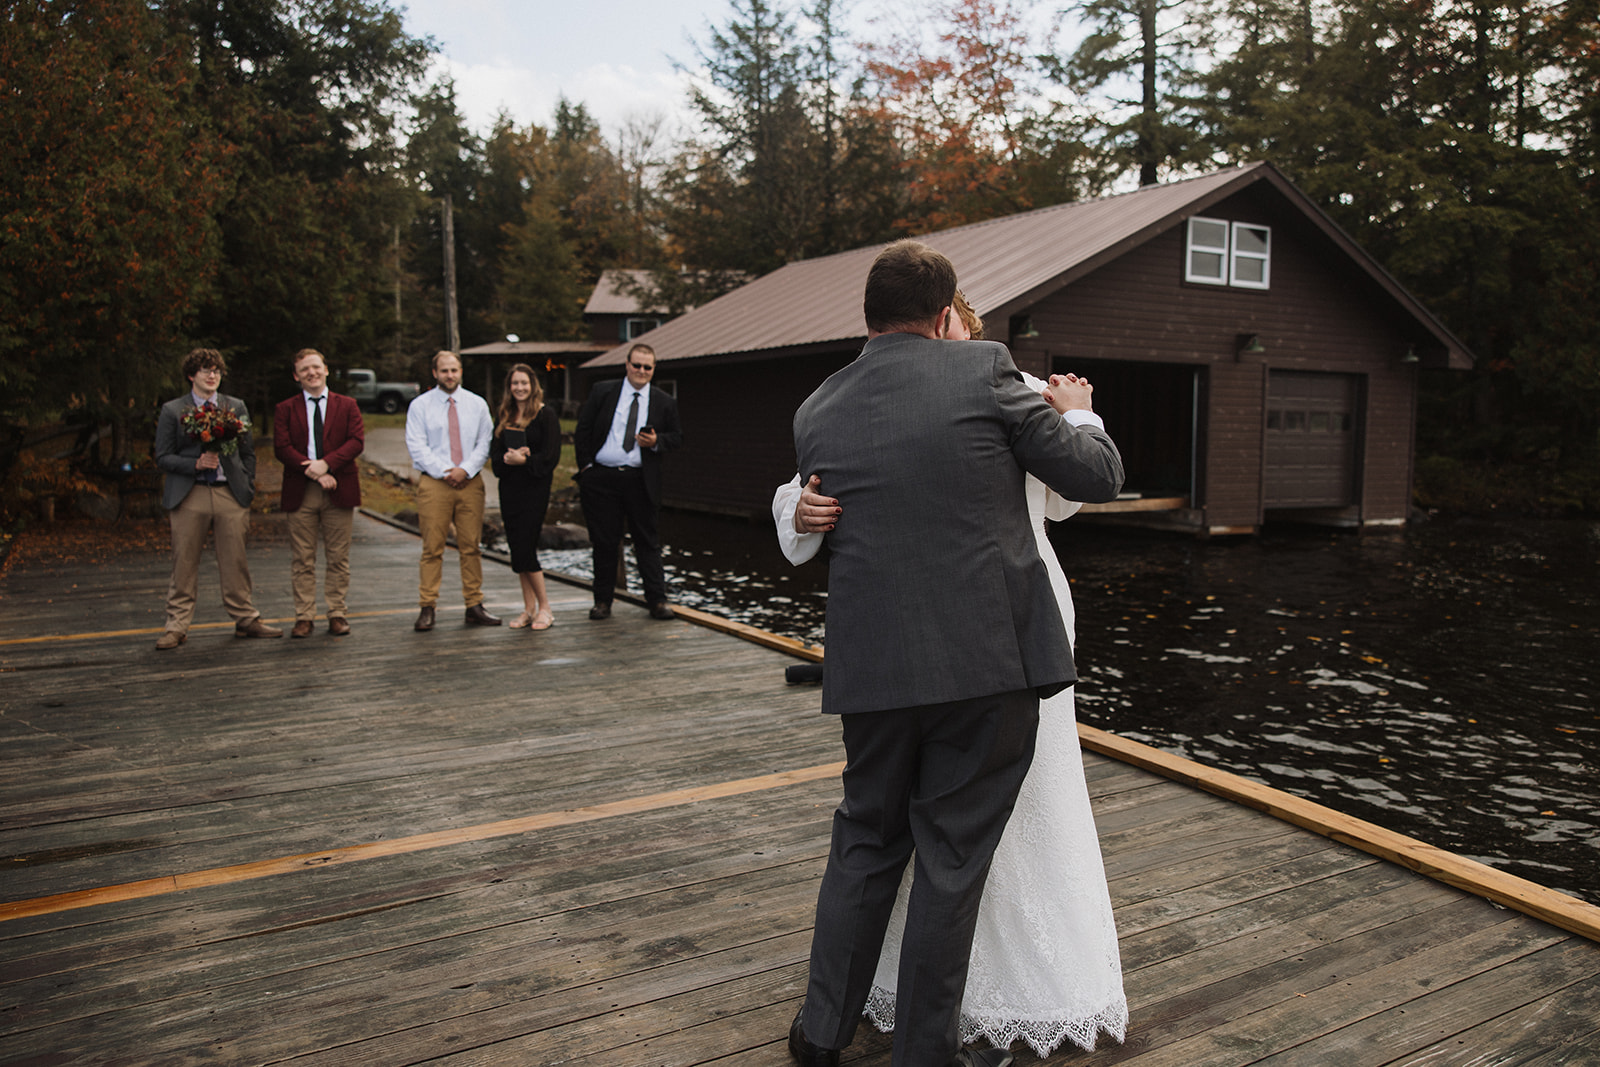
(943, 634)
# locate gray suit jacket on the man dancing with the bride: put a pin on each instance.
(935, 586)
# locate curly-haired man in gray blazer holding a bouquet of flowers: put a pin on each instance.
(202, 442)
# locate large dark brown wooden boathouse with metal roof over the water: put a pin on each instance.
(1250, 361)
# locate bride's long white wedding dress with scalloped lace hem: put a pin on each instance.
(1046, 965)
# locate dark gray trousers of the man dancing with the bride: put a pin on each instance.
(942, 781)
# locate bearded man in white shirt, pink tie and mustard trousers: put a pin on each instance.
(447, 431)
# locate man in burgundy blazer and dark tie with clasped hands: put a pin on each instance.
(318, 434)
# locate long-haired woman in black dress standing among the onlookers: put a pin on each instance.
(526, 449)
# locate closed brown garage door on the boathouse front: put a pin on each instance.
(1311, 441)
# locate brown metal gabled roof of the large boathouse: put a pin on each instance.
(1006, 266)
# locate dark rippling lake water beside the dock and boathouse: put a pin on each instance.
(1439, 681)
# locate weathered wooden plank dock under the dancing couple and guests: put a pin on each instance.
(674, 933)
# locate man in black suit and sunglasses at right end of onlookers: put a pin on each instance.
(622, 433)
